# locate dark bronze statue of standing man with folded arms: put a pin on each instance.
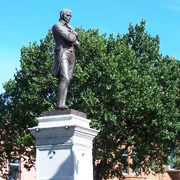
(66, 44)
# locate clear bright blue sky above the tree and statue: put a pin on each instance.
(24, 21)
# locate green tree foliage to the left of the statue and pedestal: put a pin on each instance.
(31, 92)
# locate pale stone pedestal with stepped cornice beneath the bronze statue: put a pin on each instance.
(64, 146)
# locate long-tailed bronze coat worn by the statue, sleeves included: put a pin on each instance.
(65, 39)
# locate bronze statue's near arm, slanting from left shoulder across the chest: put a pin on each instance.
(64, 34)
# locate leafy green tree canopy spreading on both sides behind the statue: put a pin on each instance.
(128, 90)
